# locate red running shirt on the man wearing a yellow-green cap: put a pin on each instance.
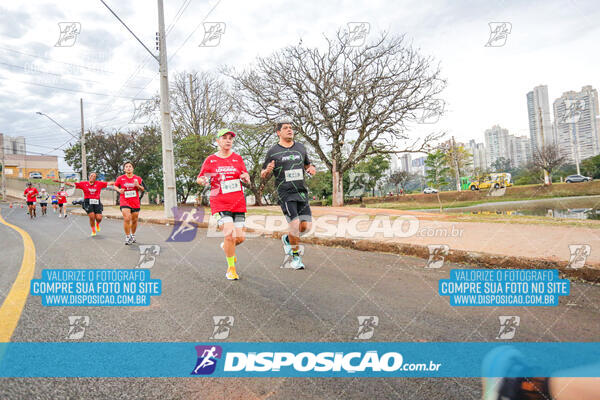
(226, 191)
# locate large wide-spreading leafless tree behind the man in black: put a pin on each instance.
(347, 102)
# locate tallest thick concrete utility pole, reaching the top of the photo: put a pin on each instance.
(165, 112)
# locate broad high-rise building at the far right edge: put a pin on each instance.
(577, 124)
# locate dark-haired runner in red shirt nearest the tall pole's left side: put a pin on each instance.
(130, 186)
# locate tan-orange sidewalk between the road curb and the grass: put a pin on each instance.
(478, 243)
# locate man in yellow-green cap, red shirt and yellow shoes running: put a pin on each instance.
(226, 171)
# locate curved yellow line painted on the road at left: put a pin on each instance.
(11, 309)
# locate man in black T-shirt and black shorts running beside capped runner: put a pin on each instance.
(288, 160)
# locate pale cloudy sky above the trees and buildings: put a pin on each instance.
(554, 43)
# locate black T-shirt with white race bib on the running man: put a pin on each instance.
(289, 171)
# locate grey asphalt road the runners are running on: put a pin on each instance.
(269, 303)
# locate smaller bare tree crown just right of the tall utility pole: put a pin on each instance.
(200, 103)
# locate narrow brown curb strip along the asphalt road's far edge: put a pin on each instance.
(589, 274)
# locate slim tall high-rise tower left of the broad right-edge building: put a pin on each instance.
(540, 123)
